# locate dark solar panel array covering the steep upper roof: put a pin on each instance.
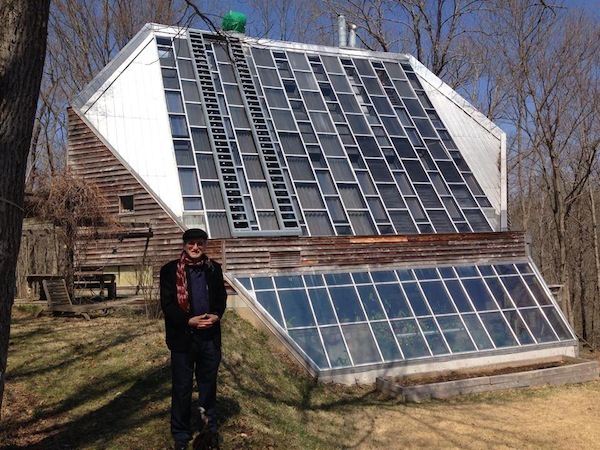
(272, 141)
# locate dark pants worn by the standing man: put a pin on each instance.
(204, 356)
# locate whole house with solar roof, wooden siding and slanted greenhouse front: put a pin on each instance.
(356, 202)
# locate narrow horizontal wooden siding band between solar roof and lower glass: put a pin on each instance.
(261, 255)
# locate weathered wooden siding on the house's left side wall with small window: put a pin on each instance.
(89, 158)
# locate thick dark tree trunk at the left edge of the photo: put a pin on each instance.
(22, 51)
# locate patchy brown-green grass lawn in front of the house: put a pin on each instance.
(104, 384)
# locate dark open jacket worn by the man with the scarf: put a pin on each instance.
(179, 334)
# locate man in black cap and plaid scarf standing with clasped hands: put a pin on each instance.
(193, 300)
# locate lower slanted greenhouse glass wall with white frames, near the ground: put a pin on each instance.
(353, 319)
